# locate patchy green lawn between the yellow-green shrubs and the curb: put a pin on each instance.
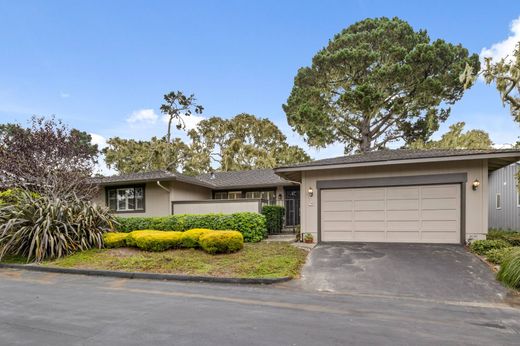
(255, 260)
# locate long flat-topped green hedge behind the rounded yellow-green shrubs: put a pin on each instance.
(251, 225)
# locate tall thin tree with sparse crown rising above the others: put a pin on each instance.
(177, 105)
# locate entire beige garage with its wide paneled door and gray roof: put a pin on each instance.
(418, 196)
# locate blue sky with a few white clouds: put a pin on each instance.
(103, 66)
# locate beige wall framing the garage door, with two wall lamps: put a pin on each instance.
(476, 201)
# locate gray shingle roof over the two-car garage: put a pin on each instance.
(398, 154)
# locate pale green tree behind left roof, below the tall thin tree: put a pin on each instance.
(131, 156)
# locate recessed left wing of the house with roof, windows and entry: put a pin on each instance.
(162, 193)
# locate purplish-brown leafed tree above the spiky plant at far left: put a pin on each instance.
(48, 158)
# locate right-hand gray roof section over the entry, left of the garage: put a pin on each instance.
(252, 178)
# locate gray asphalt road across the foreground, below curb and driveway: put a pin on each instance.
(58, 309)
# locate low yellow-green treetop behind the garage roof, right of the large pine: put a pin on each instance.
(456, 139)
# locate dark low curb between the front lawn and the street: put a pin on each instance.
(146, 276)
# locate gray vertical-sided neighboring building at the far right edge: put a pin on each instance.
(504, 198)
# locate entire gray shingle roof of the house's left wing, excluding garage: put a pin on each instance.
(241, 179)
